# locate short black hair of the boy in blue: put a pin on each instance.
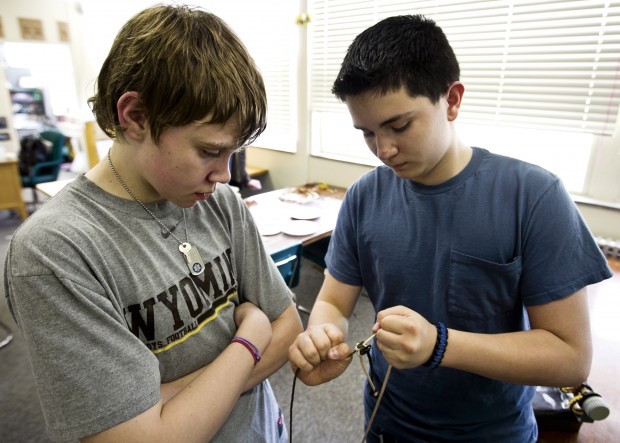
(405, 50)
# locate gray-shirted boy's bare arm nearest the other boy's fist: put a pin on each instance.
(284, 330)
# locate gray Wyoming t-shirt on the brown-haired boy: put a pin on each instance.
(109, 309)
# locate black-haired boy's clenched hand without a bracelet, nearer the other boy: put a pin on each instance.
(320, 353)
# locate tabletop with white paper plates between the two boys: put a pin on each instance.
(275, 217)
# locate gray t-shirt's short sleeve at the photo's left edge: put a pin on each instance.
(86, 362)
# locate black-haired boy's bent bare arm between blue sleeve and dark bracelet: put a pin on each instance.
(556, 352)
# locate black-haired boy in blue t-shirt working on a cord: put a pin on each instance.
(476, 264)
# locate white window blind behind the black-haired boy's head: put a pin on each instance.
(536, 64)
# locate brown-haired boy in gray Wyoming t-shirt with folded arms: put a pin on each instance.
(148, 304)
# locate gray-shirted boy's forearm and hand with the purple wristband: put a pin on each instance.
(194, 408)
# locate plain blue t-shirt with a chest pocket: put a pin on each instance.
(471, 252)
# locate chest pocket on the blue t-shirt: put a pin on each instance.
(480, 290)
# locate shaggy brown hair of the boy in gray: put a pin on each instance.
(186, 64)
